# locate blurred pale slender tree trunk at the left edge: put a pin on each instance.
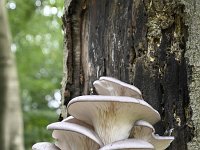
(11, 126)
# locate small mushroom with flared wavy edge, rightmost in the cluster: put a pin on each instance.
(145, 131)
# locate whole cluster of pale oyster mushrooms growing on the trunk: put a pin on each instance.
(117, 118)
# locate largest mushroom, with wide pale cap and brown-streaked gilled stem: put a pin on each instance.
(111, 116)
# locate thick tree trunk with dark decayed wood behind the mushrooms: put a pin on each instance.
(142, 43)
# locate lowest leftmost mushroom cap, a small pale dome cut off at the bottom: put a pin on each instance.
(44, 146)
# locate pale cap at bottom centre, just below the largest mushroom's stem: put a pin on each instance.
(133, 144)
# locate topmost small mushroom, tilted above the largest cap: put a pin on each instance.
(114, 87)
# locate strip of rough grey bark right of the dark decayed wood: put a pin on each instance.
(192, 8)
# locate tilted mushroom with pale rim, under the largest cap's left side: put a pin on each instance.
(74, 135)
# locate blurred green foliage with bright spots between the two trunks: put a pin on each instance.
(37, 43)
